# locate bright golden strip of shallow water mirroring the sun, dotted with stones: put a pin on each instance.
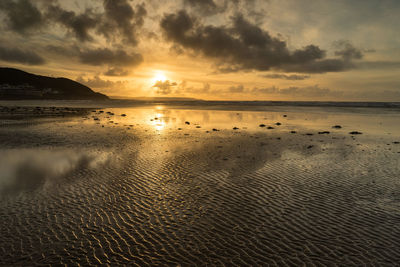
(160, 118)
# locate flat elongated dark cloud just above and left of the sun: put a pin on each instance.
(105, 56)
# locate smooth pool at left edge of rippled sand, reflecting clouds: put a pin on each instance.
(24, 170)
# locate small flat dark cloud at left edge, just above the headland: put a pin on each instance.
(20, 56)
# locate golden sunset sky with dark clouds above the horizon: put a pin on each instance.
(320, 50)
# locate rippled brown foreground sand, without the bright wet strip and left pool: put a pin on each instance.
(228, 199)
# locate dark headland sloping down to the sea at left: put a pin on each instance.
(19, 85)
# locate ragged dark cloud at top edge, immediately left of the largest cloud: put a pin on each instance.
(120, 17)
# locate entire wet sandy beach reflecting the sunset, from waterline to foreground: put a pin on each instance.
(149, 189)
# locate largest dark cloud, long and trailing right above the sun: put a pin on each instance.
(245, 46)
